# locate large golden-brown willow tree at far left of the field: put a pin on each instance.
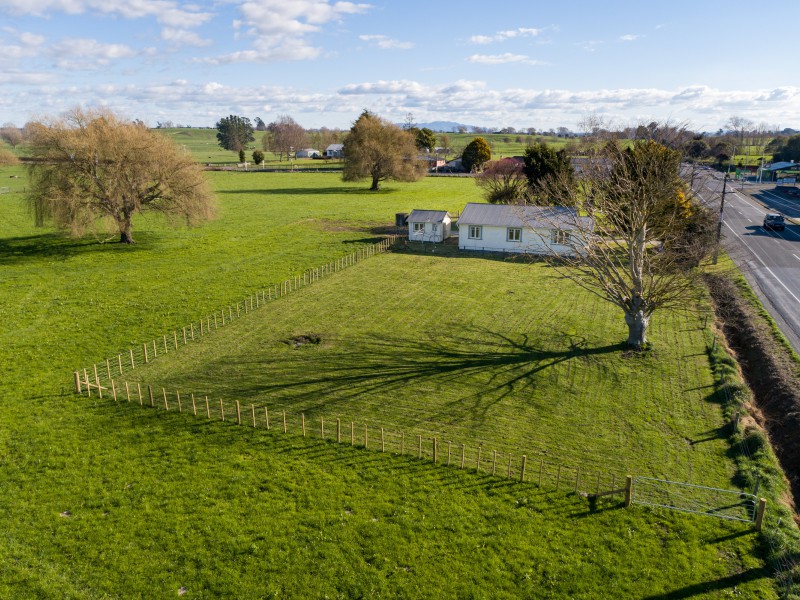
(92, 165)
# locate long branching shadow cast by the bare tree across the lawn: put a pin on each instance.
(497, 366)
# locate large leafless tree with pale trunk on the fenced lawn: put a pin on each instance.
(643, 236)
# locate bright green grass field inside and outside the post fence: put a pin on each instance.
(111, 500)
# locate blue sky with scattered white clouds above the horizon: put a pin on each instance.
(520, 63)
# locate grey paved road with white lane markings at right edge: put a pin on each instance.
(770, 260)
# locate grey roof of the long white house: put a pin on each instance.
(511, 215)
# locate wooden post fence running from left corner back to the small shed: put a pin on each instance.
(117, 366)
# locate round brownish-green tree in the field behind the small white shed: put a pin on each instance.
(379, 150)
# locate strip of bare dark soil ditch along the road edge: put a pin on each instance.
(768, 370)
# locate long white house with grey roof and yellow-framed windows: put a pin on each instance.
(519, 229)
